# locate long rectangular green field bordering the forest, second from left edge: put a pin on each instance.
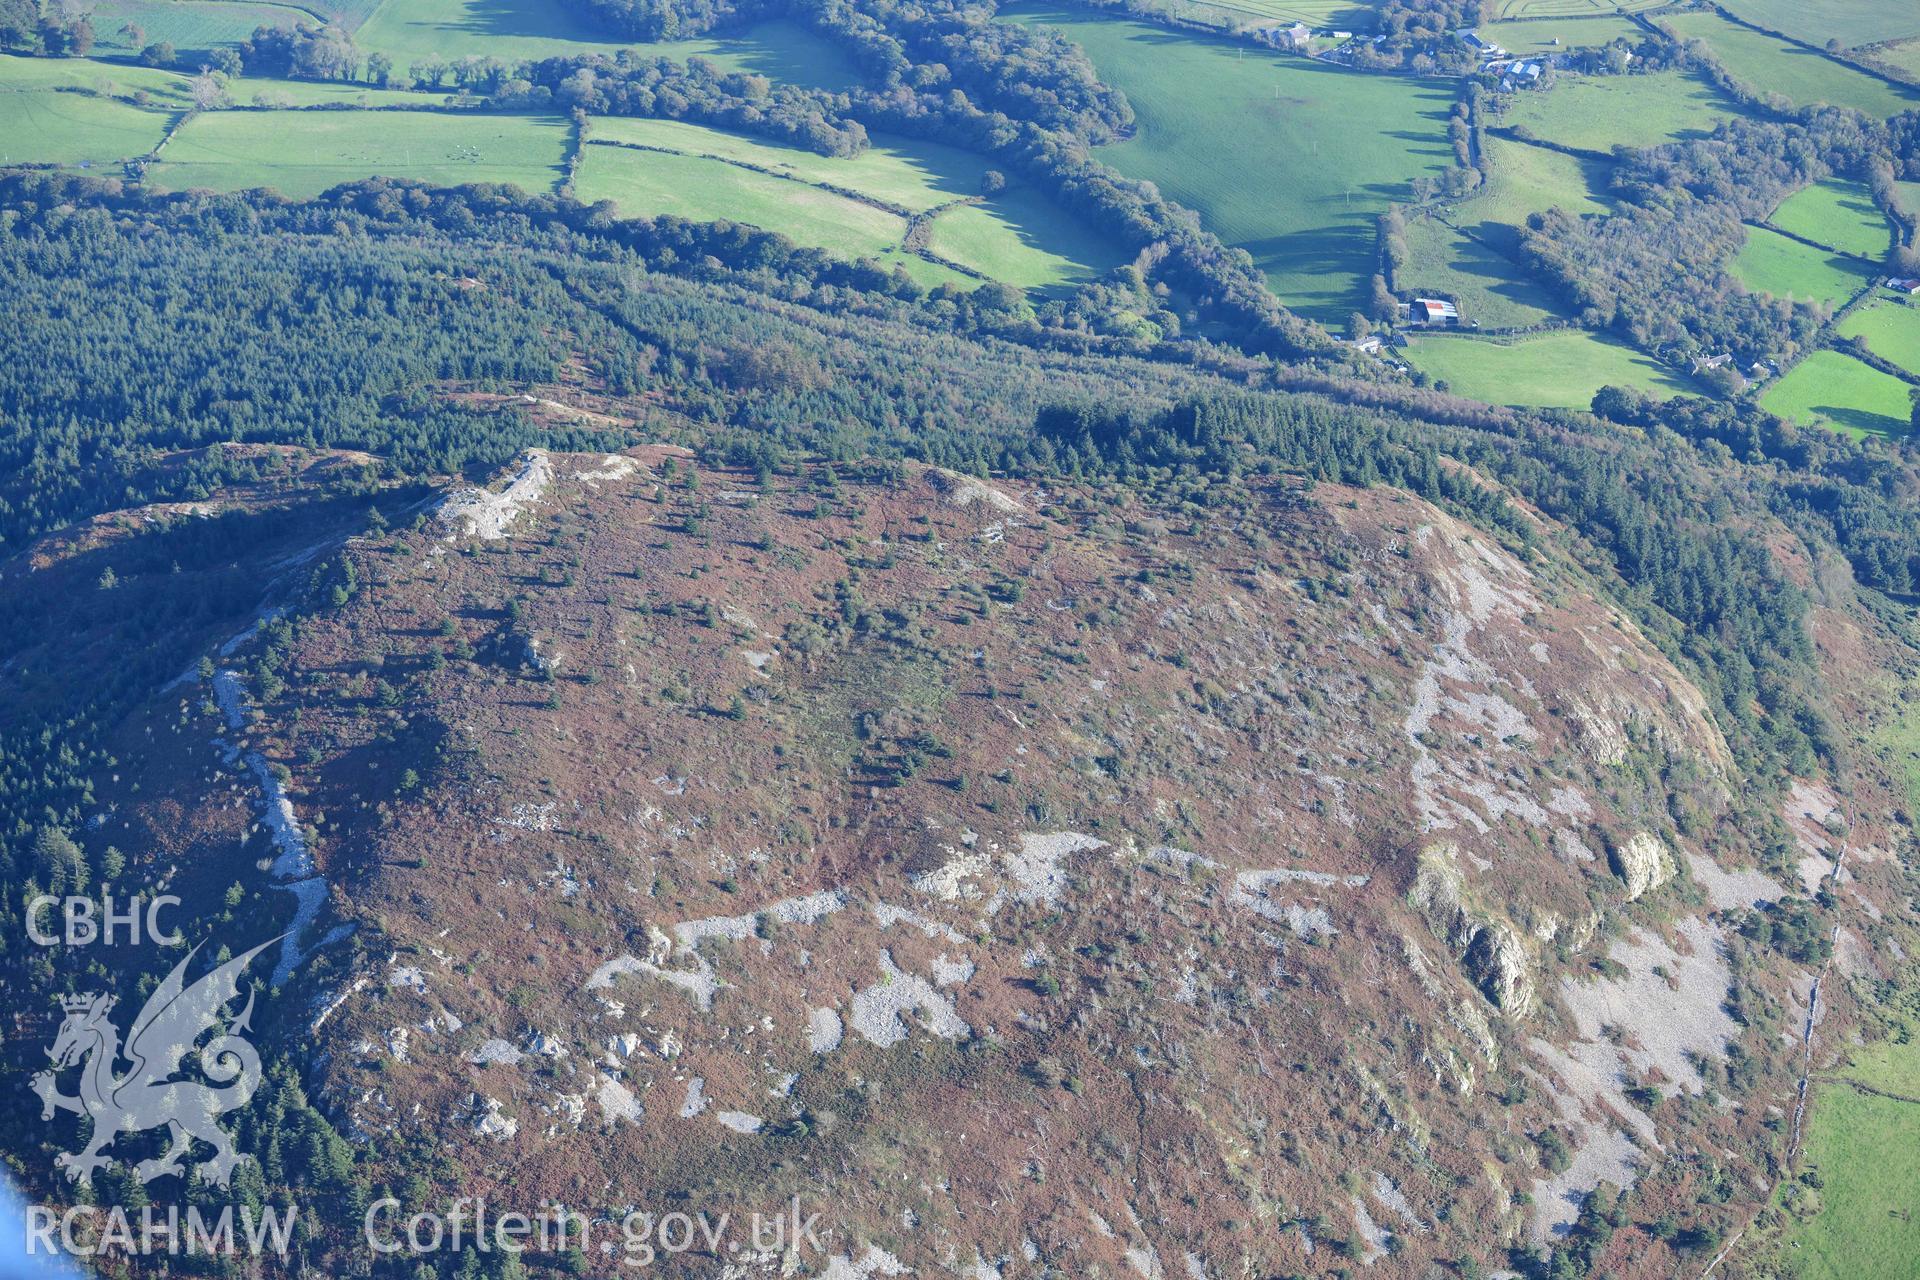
(306, 153)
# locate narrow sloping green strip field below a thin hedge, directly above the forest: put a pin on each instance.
(698, 189)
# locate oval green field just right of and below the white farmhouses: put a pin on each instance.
(1600, 112)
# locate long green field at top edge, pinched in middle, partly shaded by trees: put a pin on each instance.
(412, 32)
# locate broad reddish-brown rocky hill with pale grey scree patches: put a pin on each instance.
(1024, 878)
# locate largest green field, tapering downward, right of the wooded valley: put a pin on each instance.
(1282, 156)
